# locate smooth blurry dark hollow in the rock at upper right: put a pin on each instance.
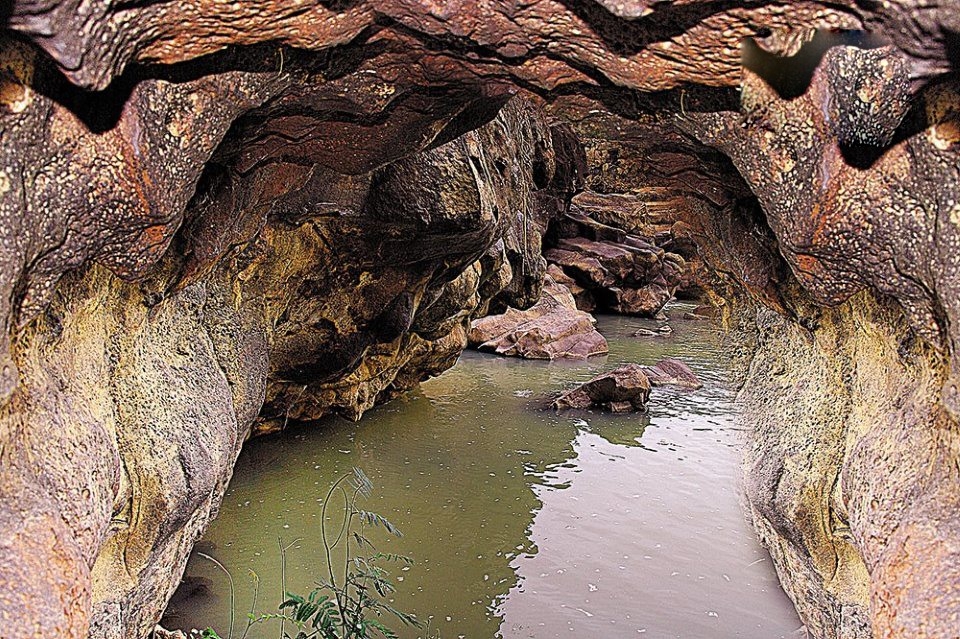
(790, 76)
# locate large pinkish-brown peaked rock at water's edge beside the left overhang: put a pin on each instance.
(552, 329)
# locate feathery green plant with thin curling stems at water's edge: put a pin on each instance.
(349, 602)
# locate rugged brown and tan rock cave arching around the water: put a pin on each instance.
(219, 220)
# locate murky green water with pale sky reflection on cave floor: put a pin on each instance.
(522, 522)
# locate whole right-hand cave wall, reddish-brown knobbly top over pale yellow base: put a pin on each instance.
(862, 196)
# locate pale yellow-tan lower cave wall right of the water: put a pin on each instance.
(857, 500)
